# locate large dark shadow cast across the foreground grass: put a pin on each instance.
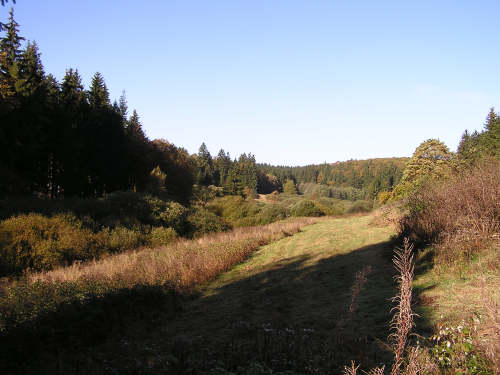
(284, 318)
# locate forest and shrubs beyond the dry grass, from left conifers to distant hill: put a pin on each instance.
(74, 160)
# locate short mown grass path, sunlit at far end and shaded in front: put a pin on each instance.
(299, 284)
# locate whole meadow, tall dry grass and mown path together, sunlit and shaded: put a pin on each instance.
(308, 302)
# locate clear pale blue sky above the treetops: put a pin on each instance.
(293, 82)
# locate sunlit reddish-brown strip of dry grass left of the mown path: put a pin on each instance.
(180, 265)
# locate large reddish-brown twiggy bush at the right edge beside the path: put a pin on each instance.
(458, 214)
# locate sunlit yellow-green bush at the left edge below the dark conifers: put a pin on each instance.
(39, 242)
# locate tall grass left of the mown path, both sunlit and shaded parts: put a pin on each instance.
(81, 305)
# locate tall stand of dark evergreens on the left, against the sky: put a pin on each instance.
(60, 140)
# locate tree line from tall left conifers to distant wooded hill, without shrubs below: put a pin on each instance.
(60, 139)
